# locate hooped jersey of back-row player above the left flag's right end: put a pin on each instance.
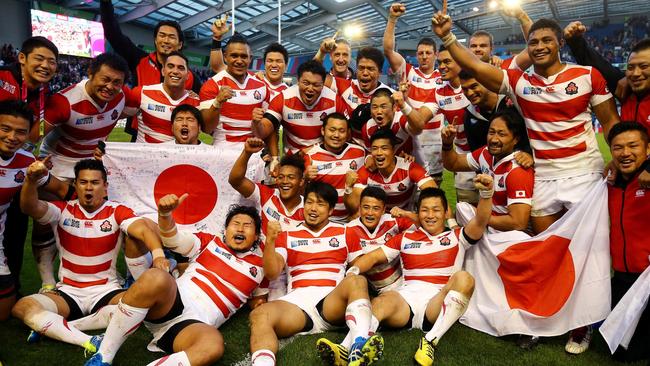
(236, 114)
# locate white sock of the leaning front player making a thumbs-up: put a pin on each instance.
(125, 320)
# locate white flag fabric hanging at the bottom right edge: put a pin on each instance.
(621, 323)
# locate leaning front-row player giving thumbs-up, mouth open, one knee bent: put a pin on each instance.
(183, 314)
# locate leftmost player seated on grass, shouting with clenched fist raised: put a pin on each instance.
(89, 235)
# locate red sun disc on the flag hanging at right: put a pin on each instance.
(538, 276)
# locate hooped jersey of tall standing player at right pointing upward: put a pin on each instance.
(557, 111)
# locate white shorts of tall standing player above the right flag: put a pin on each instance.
(551, 196)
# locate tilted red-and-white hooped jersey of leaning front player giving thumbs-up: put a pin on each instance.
(222, 278)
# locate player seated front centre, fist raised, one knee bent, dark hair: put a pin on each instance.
(319, 298)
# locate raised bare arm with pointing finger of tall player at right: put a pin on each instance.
(488, 75)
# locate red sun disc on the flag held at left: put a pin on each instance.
(200, 186)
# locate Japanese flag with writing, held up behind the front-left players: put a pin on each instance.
(140, 174)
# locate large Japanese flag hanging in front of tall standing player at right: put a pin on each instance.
(545, 285)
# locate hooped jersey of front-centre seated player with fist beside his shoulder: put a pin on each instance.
(314, 258)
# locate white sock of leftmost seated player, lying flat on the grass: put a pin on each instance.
(56, 327)
